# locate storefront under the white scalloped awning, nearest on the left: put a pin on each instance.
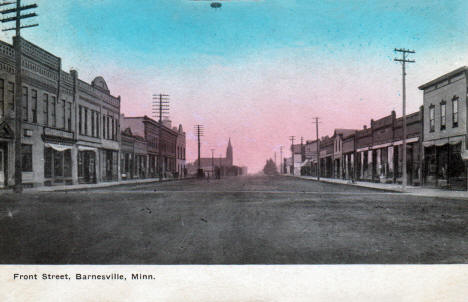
(57, 164)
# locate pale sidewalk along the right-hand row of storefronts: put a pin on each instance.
(411, 190)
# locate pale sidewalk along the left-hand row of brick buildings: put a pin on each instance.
(94, 186)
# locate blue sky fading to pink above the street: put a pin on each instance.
(257, 71)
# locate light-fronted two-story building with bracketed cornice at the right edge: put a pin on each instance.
(445, 130)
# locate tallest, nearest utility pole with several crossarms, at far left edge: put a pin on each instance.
(18, 79)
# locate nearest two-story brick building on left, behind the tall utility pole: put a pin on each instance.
(48, 131)
